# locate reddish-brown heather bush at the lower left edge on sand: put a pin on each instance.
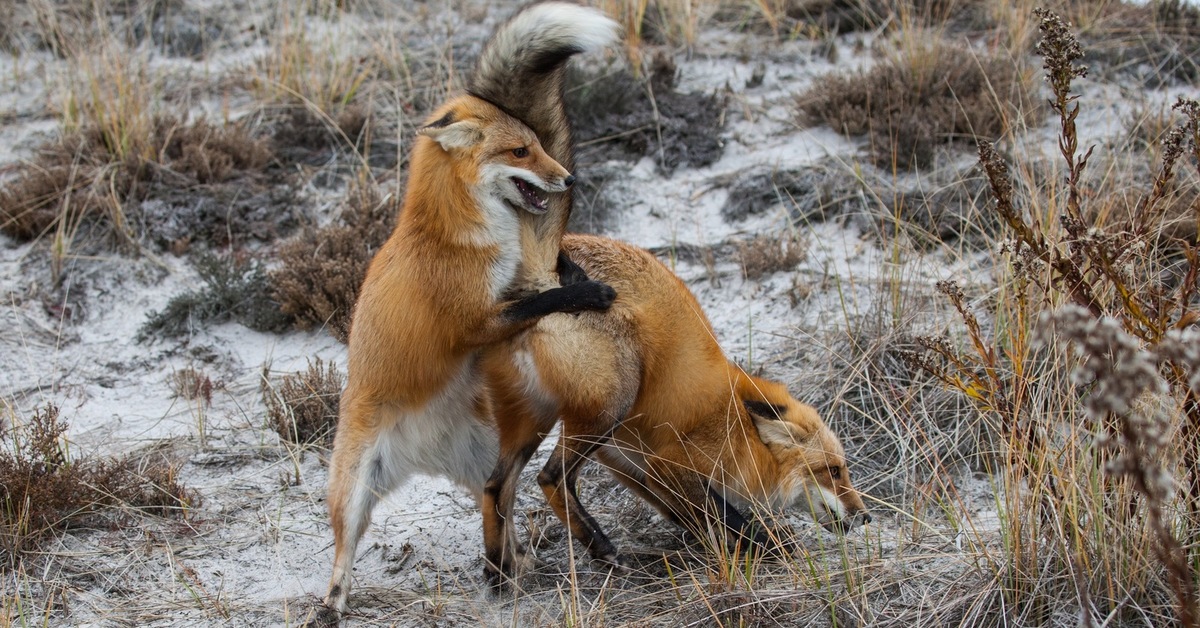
(44, 491)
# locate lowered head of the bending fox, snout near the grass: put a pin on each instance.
(811, 460)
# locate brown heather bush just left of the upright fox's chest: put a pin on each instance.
(322, 270)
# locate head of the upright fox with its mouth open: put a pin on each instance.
(496, 154)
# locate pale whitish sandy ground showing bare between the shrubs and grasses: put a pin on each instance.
(259, 551)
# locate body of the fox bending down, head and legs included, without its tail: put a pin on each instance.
(646, 388)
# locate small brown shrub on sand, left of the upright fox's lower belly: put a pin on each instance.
(303, 408)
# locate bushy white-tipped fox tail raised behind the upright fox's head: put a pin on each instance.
(521, 73)
